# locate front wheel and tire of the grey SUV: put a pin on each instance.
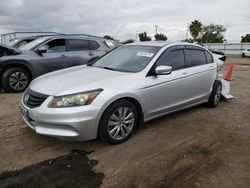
(15, 80)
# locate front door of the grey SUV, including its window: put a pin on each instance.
(55, 57)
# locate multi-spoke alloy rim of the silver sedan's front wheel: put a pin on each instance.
(121, 123)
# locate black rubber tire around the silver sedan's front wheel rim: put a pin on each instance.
(103, 125)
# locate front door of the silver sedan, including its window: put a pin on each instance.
(165, 93)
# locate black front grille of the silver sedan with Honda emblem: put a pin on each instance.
(33, 99)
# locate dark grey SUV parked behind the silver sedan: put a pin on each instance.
(47, 54)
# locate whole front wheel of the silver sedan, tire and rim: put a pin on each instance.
(114, 128)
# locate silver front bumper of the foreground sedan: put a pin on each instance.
(72, 124)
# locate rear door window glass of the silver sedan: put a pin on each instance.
(196, 57)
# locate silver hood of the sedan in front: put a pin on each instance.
(75, 80)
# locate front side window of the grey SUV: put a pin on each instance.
(57, 45)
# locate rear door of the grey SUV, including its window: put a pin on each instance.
(81, 51)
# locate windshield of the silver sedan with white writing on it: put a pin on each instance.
(127, 58)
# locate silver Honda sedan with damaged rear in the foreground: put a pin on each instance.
(130, 85)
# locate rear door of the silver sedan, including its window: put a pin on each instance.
(202, 73)
